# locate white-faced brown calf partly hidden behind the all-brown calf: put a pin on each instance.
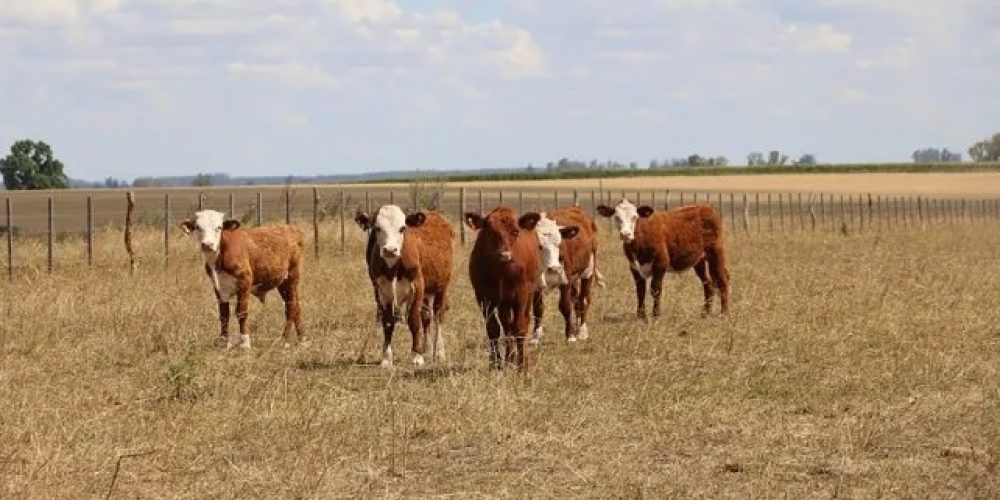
(567, 240)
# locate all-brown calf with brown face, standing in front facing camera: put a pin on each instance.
(505, 272)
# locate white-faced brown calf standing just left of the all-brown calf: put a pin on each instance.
(409, 262)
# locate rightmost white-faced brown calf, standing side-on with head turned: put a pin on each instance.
(672, 240)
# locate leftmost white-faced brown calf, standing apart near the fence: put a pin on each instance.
(240, 262)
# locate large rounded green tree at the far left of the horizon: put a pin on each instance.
(31, 165)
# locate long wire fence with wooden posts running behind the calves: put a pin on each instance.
(60, 222)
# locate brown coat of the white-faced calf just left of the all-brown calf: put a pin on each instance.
(424, 265)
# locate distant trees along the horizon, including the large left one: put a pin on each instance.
(33, 165)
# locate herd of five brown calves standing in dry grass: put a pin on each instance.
(515, 260)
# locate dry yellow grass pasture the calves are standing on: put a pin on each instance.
(859, 367)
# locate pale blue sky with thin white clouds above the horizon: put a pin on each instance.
(127, 88)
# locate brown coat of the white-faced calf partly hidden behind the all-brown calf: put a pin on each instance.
(578, 256)
